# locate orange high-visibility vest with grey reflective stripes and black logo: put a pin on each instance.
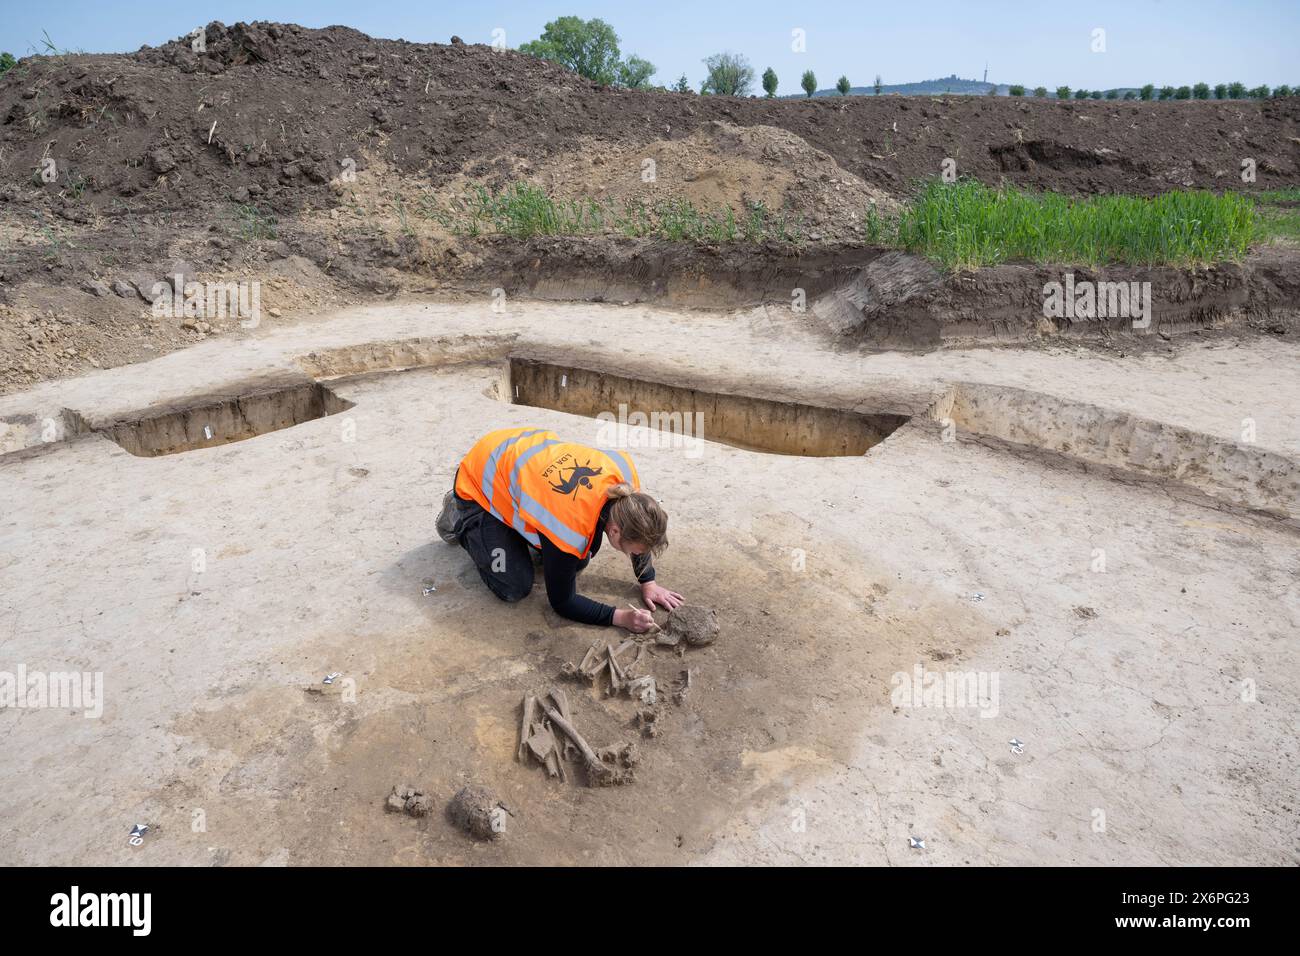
(541, 486)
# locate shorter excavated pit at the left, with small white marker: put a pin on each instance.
(223, 419)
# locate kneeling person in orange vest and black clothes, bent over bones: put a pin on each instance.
(523, 496)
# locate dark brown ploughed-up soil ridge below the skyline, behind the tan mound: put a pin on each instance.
(271, 111)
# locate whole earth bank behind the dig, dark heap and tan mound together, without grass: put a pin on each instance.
(306, 161)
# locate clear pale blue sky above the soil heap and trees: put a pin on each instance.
(1163, 42)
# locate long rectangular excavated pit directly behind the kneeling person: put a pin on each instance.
(744, 422)
